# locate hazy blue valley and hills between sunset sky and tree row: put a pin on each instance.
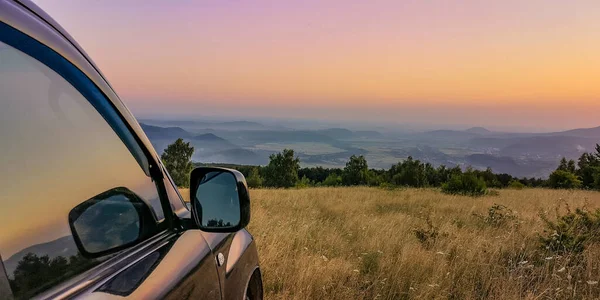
(316, 143)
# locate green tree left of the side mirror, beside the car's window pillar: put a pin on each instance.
(177, 158)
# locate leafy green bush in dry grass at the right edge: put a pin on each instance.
(572, 232)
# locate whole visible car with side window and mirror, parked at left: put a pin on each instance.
(87, 208)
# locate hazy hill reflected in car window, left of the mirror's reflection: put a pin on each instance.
(64, 246)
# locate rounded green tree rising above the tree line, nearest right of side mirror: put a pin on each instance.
(282, 170)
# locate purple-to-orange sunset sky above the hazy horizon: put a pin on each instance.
(502, 64)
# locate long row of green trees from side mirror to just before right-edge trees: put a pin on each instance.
(284, 171)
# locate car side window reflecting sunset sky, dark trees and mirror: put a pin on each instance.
(58, 153)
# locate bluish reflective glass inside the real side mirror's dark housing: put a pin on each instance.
(218, 200)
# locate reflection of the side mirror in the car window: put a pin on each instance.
(110, 222)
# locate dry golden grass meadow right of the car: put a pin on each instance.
(369, 243)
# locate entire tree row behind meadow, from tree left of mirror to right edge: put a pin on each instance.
(284, 171)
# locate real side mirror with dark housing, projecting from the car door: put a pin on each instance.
(220, 199)
